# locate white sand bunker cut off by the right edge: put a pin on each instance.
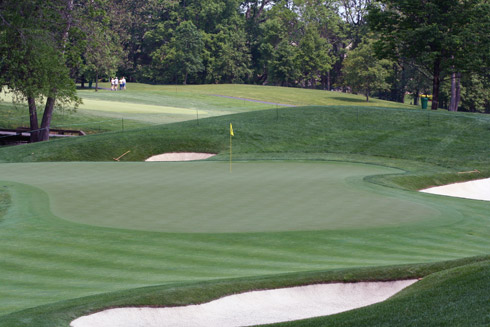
(476, 190)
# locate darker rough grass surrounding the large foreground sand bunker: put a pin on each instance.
(452, 293)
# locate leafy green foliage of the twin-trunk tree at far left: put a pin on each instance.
(31, 52)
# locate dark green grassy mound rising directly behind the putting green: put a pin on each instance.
(437, 145)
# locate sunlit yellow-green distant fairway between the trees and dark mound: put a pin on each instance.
(141, 105)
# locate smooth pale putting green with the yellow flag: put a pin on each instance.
(205, 197)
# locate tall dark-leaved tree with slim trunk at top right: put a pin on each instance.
(438, 34)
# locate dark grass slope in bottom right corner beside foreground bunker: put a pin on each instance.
(453, 297)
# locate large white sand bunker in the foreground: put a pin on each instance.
(252, 308)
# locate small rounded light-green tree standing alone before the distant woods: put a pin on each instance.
(363, 72)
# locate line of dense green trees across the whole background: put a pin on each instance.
(387, 48)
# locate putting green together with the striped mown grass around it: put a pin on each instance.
(80, 228)
